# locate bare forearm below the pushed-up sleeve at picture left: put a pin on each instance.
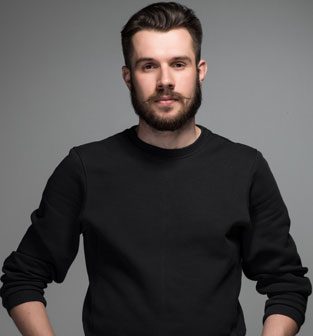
(31, 319)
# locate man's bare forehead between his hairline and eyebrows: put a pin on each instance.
(159, 45)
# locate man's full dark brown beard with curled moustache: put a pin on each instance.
(188, 110)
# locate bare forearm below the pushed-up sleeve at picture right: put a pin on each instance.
(279, 325)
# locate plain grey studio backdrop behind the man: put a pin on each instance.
(61, 85)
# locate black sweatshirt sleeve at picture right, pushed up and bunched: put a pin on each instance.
(270, 255)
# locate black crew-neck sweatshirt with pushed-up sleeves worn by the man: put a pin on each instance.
(167, 234)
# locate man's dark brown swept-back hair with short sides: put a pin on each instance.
(162, 16)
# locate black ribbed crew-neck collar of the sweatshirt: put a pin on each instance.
(166, 152)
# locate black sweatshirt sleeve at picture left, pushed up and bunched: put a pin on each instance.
(51, 242)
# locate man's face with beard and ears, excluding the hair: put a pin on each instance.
(164, 80)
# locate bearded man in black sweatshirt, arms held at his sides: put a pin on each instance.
(171, 213)
